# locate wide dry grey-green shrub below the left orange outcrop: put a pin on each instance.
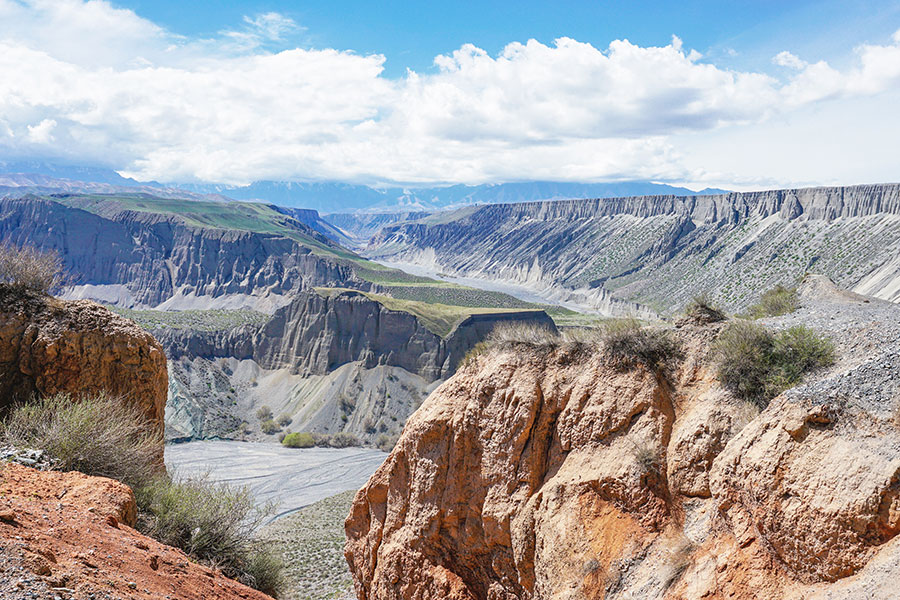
(99, 435)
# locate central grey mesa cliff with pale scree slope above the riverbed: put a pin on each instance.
(340, 362)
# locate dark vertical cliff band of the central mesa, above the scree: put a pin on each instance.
(315, 334)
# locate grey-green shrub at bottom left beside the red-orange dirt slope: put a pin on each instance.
(212, 522)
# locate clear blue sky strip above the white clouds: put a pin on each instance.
(411, 34)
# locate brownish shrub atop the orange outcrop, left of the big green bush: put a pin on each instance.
(627, 343)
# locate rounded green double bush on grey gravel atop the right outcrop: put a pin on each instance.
(757, 365)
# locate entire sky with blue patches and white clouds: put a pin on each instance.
(742, 95)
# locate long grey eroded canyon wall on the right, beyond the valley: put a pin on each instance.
(661, 250)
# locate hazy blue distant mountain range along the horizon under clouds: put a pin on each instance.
(16, 177)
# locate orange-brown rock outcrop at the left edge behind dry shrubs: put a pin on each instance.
(50, 346)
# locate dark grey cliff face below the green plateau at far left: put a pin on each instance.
(132, 258)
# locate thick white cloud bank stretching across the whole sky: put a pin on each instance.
(88, 82)
